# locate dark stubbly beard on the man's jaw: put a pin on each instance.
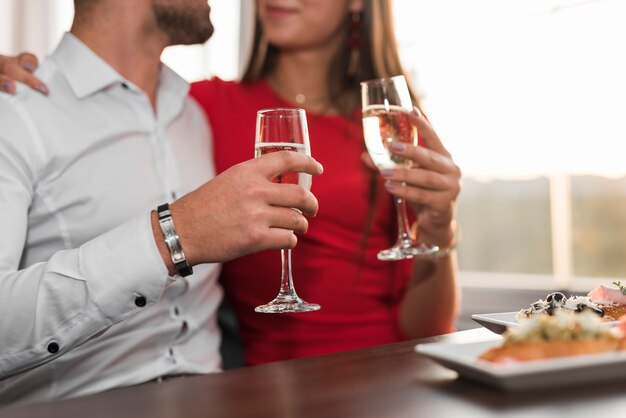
(184, 26)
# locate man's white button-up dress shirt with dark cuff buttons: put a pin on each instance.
(80, 171)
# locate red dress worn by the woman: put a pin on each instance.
(359, 295)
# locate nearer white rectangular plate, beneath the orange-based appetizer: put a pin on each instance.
(530, 375)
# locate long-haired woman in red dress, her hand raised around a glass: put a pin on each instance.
(313, 54)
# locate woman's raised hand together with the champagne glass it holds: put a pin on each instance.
(425, 176)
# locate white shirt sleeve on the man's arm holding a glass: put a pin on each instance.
(49, 308)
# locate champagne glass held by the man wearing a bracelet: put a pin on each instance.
(283, 129)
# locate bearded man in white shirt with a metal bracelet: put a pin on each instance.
(89, 294)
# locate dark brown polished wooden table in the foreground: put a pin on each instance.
(385, 381)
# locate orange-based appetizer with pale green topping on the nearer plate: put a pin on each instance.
(564, 333)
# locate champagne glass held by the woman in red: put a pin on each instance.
(386, 107)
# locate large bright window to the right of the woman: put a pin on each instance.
(528, 95)
